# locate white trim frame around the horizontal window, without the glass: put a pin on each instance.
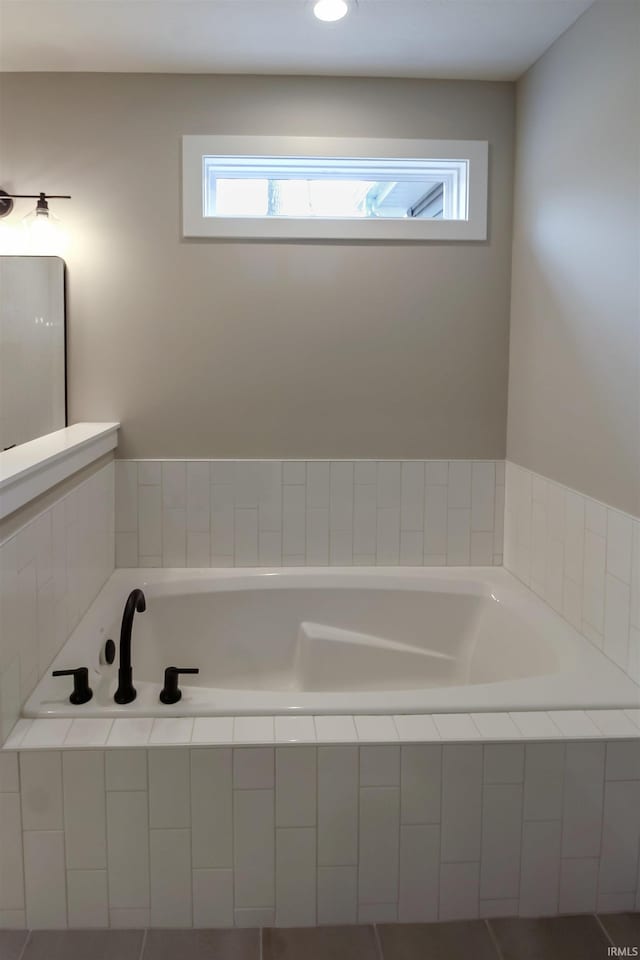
(195, 224)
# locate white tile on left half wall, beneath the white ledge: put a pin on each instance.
(50, 572)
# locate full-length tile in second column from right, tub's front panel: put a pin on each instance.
(583, 796)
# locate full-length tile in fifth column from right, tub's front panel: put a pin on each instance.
(461, 802)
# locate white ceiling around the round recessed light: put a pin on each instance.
(480, 39)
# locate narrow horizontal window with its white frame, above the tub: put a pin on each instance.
(259, 187)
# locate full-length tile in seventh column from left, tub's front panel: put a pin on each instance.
(254, 848)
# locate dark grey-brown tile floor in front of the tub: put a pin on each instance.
(554, 938)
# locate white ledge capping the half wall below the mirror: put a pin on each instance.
(28, 470)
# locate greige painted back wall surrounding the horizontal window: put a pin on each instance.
(213, 349)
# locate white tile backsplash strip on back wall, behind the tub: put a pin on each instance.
(291, 513)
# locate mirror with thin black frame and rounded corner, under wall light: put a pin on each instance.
(32, 348)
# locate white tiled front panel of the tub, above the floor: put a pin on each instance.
(318, 834)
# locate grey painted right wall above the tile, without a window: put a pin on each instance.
(574, 378)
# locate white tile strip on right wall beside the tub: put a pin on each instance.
(579, 555)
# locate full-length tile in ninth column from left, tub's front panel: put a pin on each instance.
(337, 805)
